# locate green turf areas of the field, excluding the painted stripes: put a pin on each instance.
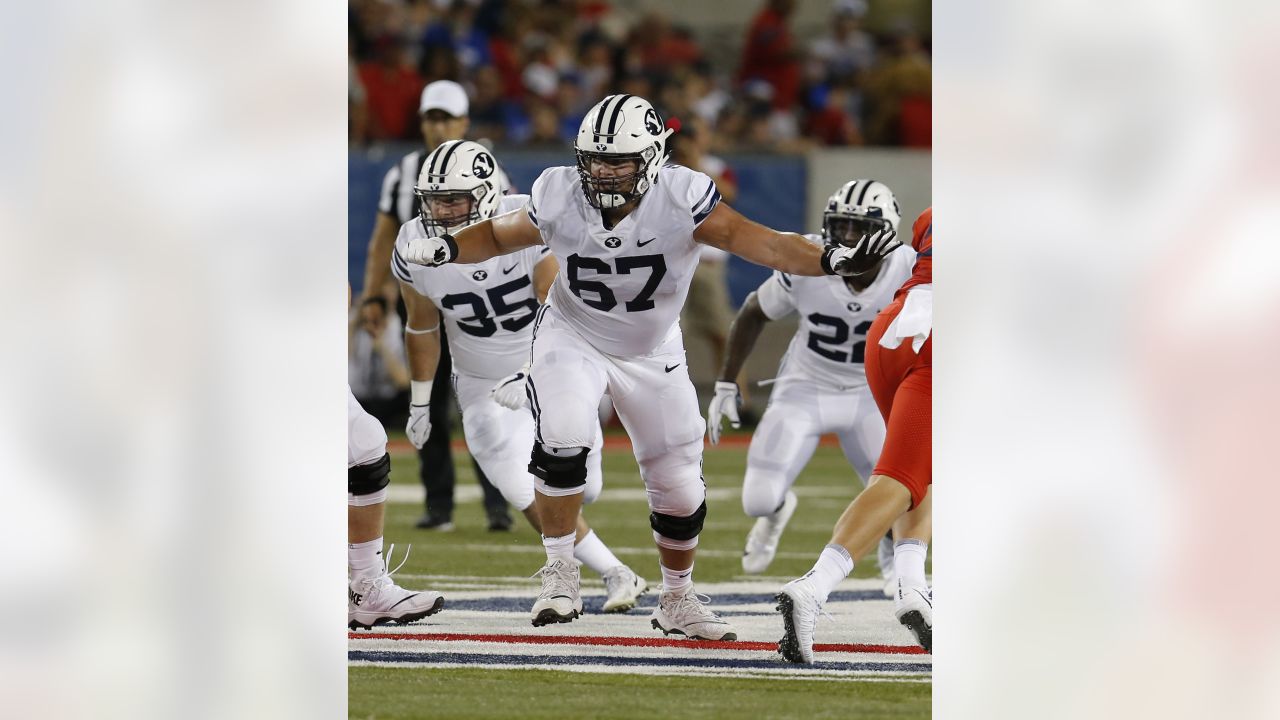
(472, 550)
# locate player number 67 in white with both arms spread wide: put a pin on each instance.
(627, 231)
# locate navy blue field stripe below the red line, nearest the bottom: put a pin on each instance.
(629, 662)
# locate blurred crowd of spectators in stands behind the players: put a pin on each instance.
(533, 69)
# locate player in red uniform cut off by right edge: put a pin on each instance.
(900, 375)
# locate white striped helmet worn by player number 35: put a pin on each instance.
(458, 188)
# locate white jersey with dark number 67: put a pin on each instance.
(623, 289)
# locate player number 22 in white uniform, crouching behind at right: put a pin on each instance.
(822, 384)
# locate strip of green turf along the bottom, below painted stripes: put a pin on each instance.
(529, 695)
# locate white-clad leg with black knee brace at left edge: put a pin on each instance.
(373, 598)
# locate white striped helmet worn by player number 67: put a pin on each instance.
(621, 127)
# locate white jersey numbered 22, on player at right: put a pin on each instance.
(831, 341)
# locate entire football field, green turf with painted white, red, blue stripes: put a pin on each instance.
(481, 658)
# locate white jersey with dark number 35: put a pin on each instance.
(487, 309)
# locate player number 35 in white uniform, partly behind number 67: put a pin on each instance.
(488, 312)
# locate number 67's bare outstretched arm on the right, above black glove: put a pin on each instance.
(726, 229)
